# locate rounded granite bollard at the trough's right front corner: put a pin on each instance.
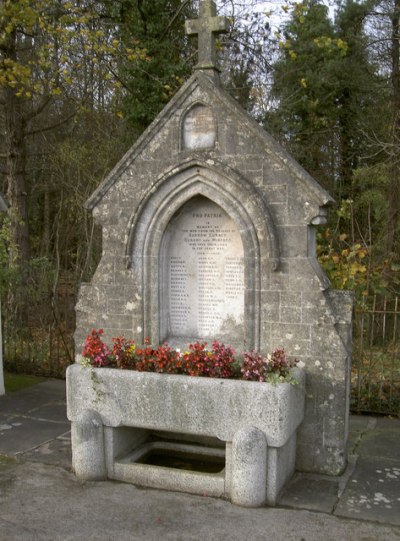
(249, 467)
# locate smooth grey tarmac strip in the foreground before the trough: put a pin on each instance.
(44, 503)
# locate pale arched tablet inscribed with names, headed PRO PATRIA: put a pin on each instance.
(203, 252)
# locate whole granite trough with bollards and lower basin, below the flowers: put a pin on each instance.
(120, 416)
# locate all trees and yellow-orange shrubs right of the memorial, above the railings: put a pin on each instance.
(332, 114)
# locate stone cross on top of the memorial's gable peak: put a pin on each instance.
(206, 27)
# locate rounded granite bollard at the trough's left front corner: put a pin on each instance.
(88, 454)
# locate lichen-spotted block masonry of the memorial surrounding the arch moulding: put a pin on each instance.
(298, 311)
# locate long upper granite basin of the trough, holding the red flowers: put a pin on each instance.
(203, 406)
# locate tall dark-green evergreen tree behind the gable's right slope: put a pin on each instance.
(325, 86)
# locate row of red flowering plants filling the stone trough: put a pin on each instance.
(197, 360)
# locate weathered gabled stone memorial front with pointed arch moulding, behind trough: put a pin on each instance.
(274, 205)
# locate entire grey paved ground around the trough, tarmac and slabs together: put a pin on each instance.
(40, 499)
